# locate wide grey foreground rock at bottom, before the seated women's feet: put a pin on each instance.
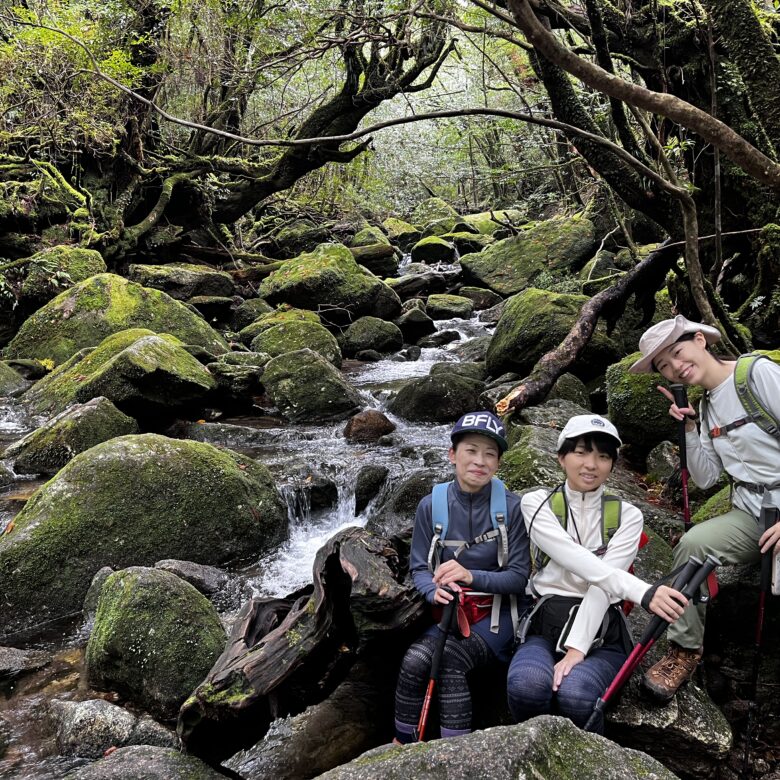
(547, 746)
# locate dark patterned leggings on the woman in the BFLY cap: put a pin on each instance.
(460, 657)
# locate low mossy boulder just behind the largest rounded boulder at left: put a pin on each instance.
(81, 426)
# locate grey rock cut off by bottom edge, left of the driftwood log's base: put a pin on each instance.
(146, 762)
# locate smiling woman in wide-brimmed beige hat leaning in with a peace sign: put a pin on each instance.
(677, 349)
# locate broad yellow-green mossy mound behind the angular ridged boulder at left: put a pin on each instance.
(102, 305)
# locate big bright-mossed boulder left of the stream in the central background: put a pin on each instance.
(329, 280)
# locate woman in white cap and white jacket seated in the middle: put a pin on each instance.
(575, 641)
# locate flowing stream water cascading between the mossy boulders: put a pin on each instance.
(297, 456)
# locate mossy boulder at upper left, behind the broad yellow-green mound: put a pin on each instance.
(53, 269)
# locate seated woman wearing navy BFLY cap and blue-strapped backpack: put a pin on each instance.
(476, 550)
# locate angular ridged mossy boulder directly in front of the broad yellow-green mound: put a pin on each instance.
(139, 371)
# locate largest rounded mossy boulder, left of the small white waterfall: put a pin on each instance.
(130, 502)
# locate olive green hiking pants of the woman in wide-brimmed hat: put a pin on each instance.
(732, 538)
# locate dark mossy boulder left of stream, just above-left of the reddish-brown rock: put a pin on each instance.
(307, 388)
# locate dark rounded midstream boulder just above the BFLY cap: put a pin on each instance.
(439, 398)
